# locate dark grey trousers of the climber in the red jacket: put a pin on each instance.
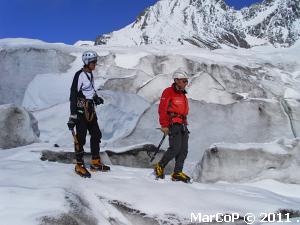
(178, 147)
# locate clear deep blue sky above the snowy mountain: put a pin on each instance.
(71, 20)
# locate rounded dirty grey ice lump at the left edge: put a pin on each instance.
(17, 127)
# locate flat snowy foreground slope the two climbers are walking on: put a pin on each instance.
(42, 189)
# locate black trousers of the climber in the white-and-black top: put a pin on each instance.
(81, 130)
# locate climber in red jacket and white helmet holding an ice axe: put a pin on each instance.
(173, 111)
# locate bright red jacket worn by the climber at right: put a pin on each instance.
(173, 107)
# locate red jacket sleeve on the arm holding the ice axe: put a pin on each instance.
(164, 118)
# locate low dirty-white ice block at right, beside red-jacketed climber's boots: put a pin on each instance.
(278, 160)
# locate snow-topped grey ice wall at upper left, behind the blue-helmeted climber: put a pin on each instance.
(21, 60)
